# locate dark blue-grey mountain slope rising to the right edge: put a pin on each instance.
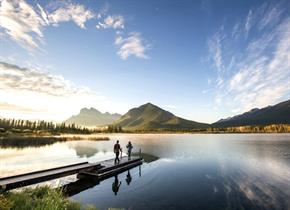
(277, 114)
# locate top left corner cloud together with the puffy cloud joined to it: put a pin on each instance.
(24, 23)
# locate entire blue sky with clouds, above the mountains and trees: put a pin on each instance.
(202, 60)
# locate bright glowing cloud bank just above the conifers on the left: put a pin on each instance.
(34, 94)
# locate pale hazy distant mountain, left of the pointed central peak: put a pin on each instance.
(92, 117)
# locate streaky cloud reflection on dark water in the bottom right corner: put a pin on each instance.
(255, 185)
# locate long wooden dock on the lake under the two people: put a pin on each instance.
(101, 170)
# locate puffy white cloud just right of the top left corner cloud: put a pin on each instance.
(71, 12)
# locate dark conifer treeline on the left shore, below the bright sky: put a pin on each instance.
(27, 126)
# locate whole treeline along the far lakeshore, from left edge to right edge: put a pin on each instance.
(27, 126)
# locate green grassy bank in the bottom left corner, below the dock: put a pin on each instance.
(41, 198)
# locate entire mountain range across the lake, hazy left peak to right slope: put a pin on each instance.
(151, 117)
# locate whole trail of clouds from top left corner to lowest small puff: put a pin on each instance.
(24, 24)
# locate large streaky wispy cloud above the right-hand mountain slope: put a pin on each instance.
(257, 74)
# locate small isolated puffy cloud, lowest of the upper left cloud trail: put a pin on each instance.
(132, 45)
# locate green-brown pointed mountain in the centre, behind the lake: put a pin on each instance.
(151, 117)
